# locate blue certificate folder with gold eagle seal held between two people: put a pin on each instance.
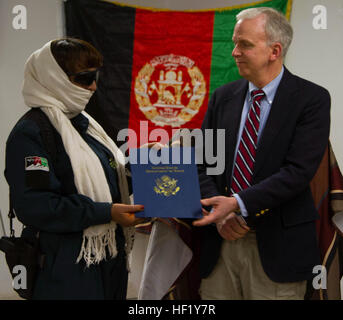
(166, 182)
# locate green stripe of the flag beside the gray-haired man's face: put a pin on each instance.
(223, 66)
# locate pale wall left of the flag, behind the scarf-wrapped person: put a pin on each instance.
(44, 22)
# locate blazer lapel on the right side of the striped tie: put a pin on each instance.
(278, 115)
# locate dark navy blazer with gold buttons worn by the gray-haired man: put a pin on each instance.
(279, 201)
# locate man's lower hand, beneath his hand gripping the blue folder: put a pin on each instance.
(233, 227)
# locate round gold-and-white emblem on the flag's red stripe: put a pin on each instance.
(170, 90)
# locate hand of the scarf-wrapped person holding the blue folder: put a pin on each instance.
(124, 214)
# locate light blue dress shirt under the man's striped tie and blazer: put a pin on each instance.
(266, 103)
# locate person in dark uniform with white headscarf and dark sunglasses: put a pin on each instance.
(72, 186)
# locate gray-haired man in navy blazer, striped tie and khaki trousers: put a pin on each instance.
(260, 241)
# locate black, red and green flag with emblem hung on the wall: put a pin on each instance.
(160, 66)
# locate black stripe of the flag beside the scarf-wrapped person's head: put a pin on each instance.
(110, 28)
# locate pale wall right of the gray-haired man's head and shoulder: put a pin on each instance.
(317, 55)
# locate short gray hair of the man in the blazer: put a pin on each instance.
(278, 29)
